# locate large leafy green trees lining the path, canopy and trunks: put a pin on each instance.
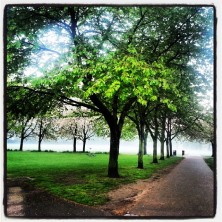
(144, 63)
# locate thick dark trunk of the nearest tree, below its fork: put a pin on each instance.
(114, 153)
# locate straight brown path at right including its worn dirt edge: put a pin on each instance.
(187, 191)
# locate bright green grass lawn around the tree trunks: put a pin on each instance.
(78, 177)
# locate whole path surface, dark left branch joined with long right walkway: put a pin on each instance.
(186, 190)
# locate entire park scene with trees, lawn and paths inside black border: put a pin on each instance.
(77, 72)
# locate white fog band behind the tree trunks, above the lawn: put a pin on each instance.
(102, 145)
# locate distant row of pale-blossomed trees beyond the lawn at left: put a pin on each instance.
(49, 127)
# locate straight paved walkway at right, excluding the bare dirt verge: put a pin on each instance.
(187, 191)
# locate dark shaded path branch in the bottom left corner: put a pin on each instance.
(33, 203)
